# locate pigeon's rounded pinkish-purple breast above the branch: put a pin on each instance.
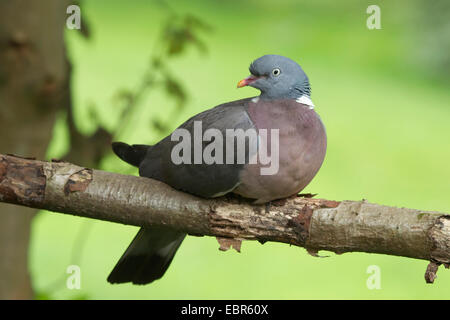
(302, 145)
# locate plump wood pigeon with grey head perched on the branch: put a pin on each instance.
(284, 108)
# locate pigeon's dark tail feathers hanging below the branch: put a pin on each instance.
(148, 256)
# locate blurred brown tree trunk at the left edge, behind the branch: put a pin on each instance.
(33, 86)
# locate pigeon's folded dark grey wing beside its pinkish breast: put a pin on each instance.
(202, 179)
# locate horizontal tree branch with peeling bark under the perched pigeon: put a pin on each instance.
(315, 224)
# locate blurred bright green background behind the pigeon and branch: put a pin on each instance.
(383, 96)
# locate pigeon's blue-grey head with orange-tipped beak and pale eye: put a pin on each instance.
(277, 77)
